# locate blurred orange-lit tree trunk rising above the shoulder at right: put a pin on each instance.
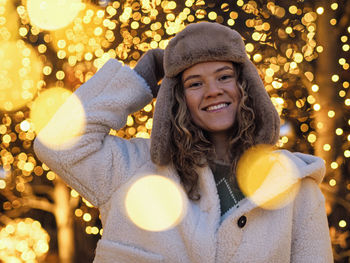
(327, 94)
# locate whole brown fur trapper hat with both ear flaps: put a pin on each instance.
(203, 42)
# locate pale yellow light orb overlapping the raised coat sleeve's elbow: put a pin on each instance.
(69, 120)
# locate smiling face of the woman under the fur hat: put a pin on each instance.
(212, 95)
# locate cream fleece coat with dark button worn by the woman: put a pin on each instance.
(99, 166)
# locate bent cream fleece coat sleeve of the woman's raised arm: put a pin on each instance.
(97, 163)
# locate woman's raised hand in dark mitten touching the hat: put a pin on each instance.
(150, 67)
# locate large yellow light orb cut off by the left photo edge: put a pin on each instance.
(20, 73)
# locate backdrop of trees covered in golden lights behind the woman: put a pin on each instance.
(300, 48)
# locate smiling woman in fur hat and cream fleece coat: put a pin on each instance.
(211, 108)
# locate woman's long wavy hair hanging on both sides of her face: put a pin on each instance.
(190, 145)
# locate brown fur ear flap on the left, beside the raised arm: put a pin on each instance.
(160, 135)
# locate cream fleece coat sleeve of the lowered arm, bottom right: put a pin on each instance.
(310, 238)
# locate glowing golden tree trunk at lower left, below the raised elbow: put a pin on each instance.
(64, 220)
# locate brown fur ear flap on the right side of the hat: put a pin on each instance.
(266, 117)
